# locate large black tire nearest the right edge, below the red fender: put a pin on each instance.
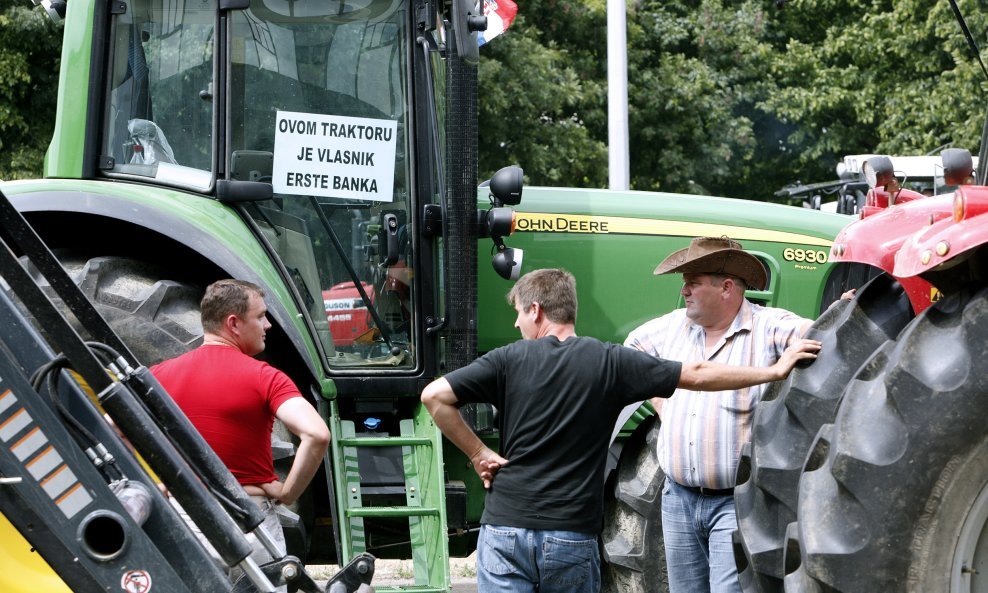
(894, 496)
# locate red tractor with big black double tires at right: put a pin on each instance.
(868, 470)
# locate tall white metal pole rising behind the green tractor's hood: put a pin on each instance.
(617, 95)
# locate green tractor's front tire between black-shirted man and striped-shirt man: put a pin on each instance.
(633, 550)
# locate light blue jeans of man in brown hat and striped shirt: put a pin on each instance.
(697, 530)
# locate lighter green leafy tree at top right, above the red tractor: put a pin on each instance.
(885, 77)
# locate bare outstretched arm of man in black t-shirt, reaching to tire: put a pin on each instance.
(714, 376)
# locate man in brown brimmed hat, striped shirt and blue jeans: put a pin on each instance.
(701, 436)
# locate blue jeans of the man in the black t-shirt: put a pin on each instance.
(516, 560)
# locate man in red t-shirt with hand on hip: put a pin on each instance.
(232, 399)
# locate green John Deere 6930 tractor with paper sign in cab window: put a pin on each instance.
(327, 152)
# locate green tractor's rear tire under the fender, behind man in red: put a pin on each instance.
(157, 319)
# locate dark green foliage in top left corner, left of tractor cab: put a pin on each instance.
(28, 83)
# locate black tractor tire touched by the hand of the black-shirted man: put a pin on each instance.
(787, 420)
